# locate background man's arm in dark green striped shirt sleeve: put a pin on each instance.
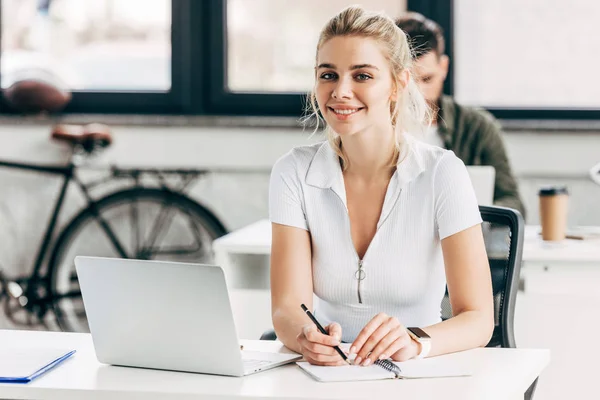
(493, 152)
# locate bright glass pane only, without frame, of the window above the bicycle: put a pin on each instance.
(89, 45)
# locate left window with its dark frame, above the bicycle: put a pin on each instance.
(115, 56)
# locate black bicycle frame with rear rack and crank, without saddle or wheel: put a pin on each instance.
(32, 290)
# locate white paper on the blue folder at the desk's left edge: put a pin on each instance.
(22, 362)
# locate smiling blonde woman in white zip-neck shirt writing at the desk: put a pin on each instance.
(371, 222)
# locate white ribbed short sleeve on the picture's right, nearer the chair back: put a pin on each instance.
(456, 206)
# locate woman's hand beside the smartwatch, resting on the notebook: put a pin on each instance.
(383, 337)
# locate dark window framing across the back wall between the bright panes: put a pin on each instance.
(199, 74)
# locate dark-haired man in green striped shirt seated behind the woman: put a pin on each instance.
(474, 135)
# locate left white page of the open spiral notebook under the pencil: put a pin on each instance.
(346, 373)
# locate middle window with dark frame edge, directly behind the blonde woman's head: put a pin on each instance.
(262, 55)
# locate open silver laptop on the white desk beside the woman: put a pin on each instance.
(165, 315)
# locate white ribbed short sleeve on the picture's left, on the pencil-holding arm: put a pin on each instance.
(286, 206)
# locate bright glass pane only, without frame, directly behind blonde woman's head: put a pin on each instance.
(271, 44)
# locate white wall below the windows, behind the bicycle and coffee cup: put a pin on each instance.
(239, 197)
